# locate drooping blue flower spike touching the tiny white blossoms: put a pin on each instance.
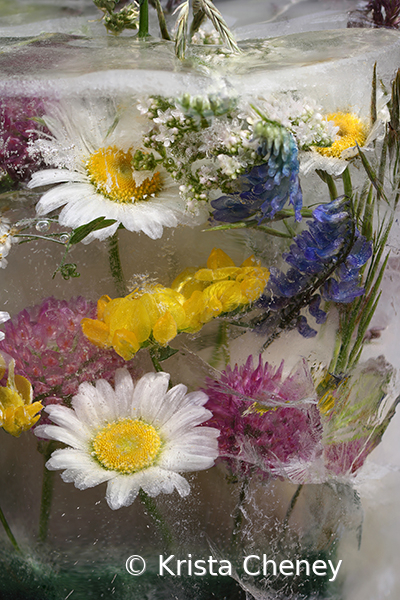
(266, 188)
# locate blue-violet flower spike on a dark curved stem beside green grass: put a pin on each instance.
(325, 262)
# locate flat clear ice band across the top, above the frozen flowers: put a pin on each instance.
(319, 64)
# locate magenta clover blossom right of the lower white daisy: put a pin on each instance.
(267, 422)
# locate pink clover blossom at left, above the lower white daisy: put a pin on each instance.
(50, 350)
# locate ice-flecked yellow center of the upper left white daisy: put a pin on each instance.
(110, 170)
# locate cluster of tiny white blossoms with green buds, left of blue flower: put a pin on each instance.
(198, 129)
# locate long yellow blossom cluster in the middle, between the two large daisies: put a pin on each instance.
(157, 315)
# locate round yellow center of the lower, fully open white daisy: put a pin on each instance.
(127, 446)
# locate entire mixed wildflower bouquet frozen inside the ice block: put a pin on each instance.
(228, 164)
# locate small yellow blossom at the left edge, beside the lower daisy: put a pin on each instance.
(17, 413)
